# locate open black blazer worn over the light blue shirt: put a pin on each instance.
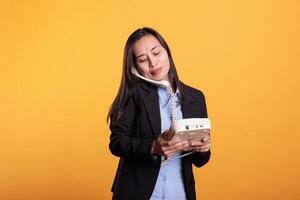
(132, 137)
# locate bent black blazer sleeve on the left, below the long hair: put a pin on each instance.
(122, 143)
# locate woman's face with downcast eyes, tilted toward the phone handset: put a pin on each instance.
(151, 58)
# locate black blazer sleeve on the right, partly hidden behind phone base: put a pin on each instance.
(198, 158)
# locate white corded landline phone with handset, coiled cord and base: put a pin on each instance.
(191, 129)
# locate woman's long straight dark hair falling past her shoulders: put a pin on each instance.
(129, 80)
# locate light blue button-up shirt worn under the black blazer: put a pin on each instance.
(169, 184)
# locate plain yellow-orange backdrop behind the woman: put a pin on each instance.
(61, 68)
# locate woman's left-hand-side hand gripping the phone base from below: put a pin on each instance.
(166, 145)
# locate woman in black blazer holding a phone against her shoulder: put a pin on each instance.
(142, 111)
